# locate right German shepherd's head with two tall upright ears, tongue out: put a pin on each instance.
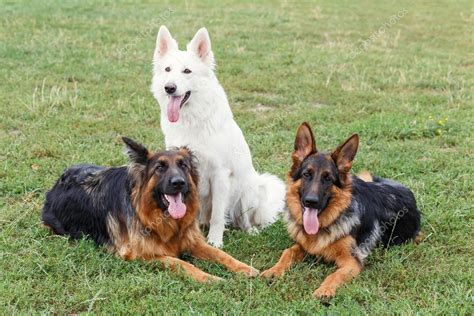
(319, 181)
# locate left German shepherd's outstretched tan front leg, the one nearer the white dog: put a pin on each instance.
(201, 250)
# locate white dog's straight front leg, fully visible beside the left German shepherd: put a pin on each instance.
(220, 187)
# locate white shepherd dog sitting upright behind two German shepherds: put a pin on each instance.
(195, 113)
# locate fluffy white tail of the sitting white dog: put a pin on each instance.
(271, 200)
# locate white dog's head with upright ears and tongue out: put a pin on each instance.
(178, 75)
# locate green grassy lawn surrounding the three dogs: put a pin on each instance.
(75, 76)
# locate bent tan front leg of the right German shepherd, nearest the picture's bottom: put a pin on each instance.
(347, 267)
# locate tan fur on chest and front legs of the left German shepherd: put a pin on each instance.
(153, 234)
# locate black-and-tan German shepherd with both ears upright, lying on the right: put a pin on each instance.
(339, 216)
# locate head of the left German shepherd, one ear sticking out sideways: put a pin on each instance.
(164, 180)
